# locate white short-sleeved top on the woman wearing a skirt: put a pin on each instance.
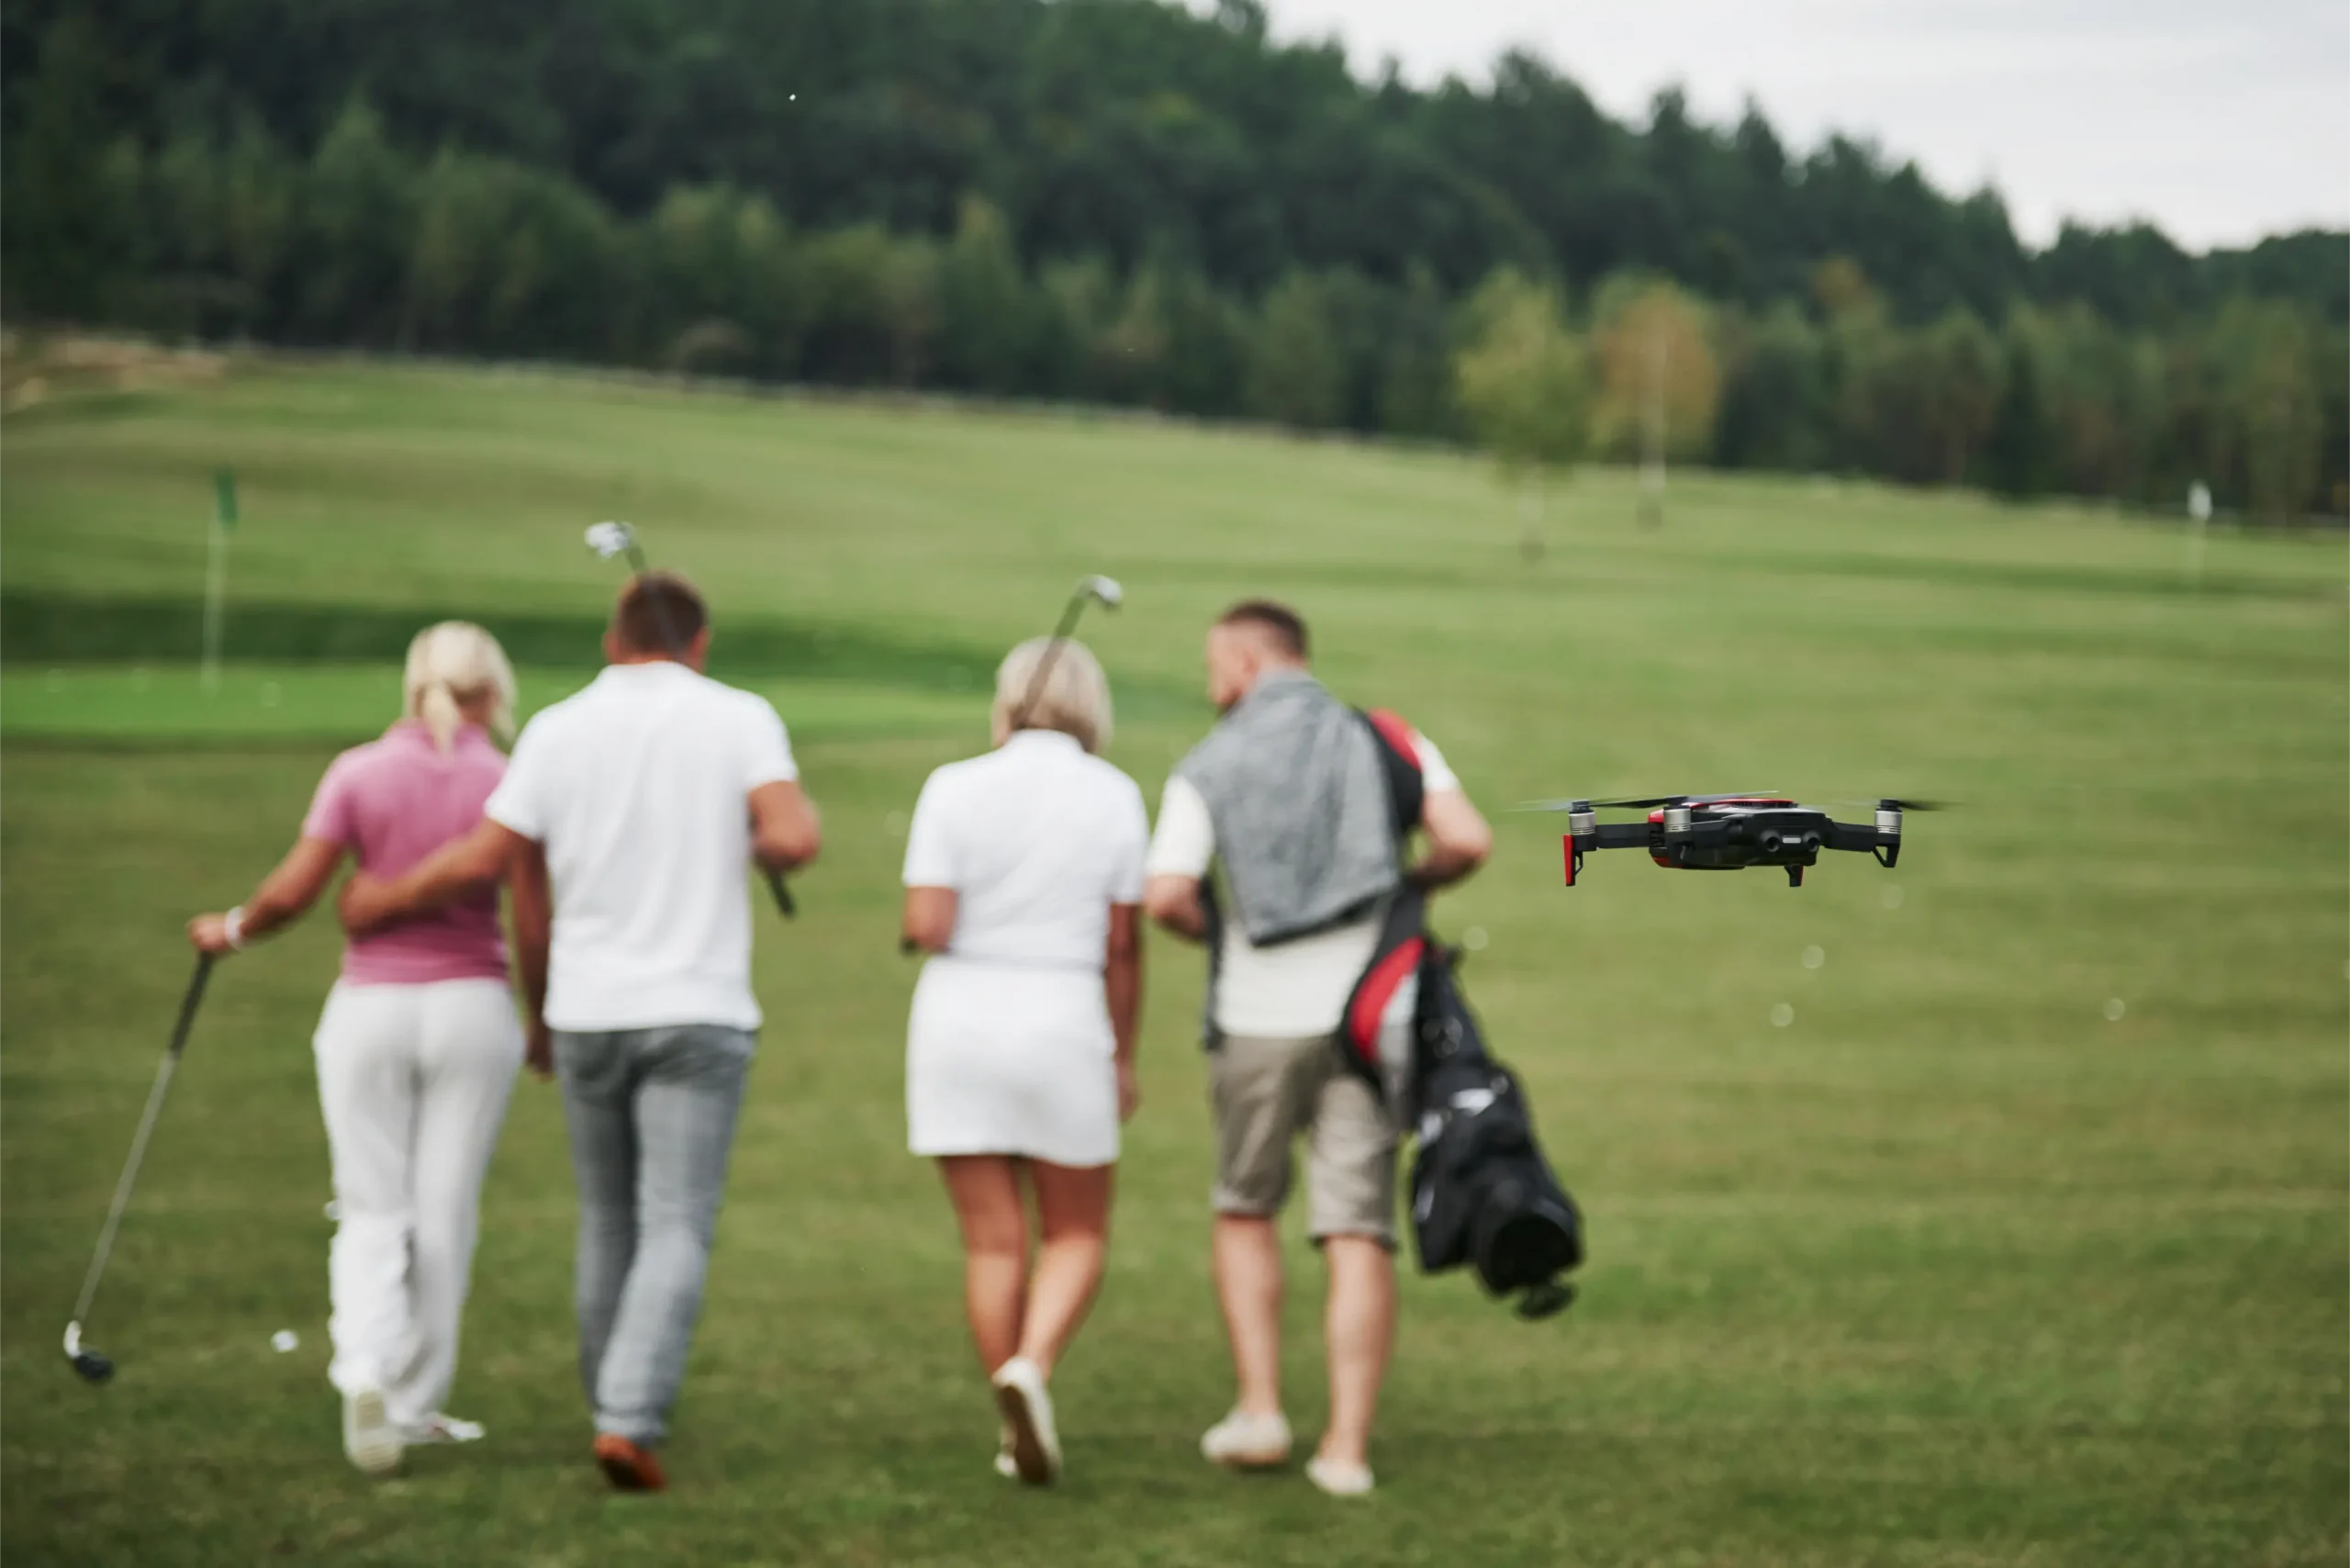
(1038, 840)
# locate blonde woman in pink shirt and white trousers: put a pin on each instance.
(417, 1050)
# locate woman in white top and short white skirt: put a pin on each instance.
(1023, 876)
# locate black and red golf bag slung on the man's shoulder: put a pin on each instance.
(1484, 1195)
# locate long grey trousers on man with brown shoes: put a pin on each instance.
(652, 1120)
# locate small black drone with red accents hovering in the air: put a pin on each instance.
(1728, 833)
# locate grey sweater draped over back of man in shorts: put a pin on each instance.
(1298, 800)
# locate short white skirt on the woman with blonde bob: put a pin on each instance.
(1012, 1061)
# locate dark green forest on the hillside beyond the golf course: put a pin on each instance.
(1136, 203)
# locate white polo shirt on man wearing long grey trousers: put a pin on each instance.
(640, 791)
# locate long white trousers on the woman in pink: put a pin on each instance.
(415, 1085)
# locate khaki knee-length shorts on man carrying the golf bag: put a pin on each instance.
(1265, 1094)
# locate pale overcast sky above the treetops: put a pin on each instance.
(2215, 119)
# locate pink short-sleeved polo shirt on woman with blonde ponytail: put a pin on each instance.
(394, 803)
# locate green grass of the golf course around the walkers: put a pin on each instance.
(1956, 1268)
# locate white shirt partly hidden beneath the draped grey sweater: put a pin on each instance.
(1289, 991)
